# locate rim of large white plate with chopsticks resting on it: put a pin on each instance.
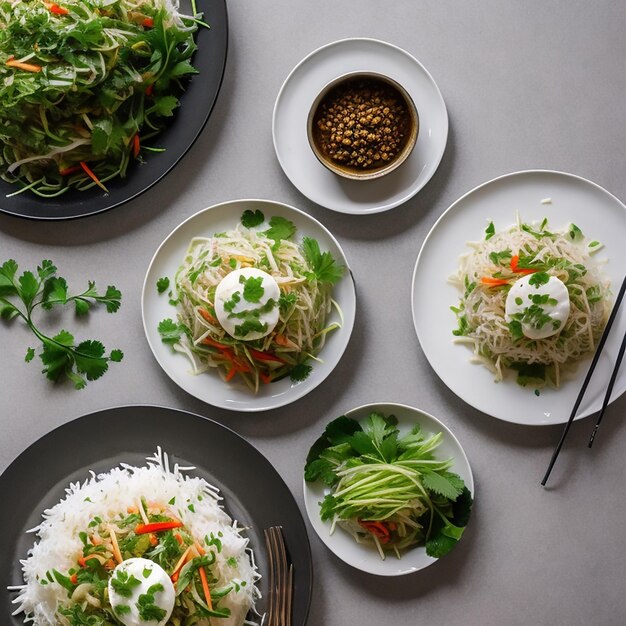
(462, 198)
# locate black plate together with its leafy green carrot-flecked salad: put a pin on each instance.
(108, 135)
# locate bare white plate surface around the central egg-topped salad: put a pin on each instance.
(208, 386)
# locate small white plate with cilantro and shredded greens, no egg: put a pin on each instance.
(388, 488)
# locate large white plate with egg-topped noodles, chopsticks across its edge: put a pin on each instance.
(511, 292)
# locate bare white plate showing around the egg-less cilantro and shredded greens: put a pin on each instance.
(364, 557)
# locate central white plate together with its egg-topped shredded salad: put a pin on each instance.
(249, 305)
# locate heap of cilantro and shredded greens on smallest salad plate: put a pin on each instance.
(374, 473)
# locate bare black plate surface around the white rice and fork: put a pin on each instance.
(253, 491)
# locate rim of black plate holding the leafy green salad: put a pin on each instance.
(166, 171)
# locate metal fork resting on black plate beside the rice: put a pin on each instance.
(281, 579)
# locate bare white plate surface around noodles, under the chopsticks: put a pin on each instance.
(600, 215)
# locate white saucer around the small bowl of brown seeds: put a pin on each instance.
(290, 119)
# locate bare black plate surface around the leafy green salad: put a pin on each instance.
(196, 105)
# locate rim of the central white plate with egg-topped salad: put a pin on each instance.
(347, 326)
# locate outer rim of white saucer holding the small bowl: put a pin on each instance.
(444, 109)
